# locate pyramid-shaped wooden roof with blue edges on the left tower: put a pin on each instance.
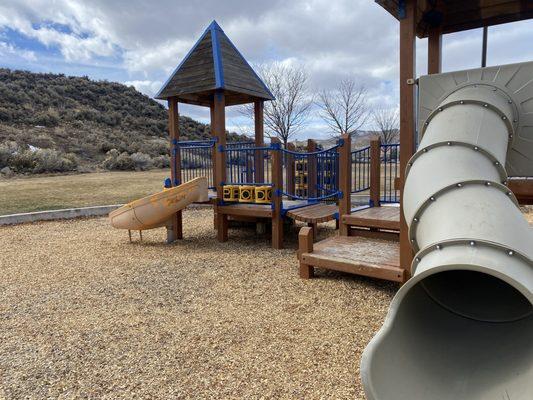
(214, 63)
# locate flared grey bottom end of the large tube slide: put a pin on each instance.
(431, 352)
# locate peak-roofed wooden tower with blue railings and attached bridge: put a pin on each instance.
(253, 181)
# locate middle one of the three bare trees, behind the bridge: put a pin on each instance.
(344, 109)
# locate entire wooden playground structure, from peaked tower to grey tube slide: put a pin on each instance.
(461, 326)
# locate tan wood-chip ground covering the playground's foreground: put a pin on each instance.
(86, 314)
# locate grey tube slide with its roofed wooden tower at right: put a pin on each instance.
(461, 327)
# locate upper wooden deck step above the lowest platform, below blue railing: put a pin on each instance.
(384, 217)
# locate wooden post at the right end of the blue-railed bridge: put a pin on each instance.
(345, 182)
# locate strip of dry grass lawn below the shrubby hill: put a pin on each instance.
(66, 191)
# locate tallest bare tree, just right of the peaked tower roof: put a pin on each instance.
(289, 112)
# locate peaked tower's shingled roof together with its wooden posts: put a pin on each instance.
(213, 74)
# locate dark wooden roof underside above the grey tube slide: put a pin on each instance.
(459, 15)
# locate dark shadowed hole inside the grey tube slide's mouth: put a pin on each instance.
(477, 295)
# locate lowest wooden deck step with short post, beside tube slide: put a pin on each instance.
(353, 254)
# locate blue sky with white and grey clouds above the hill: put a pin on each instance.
(140, 42)
